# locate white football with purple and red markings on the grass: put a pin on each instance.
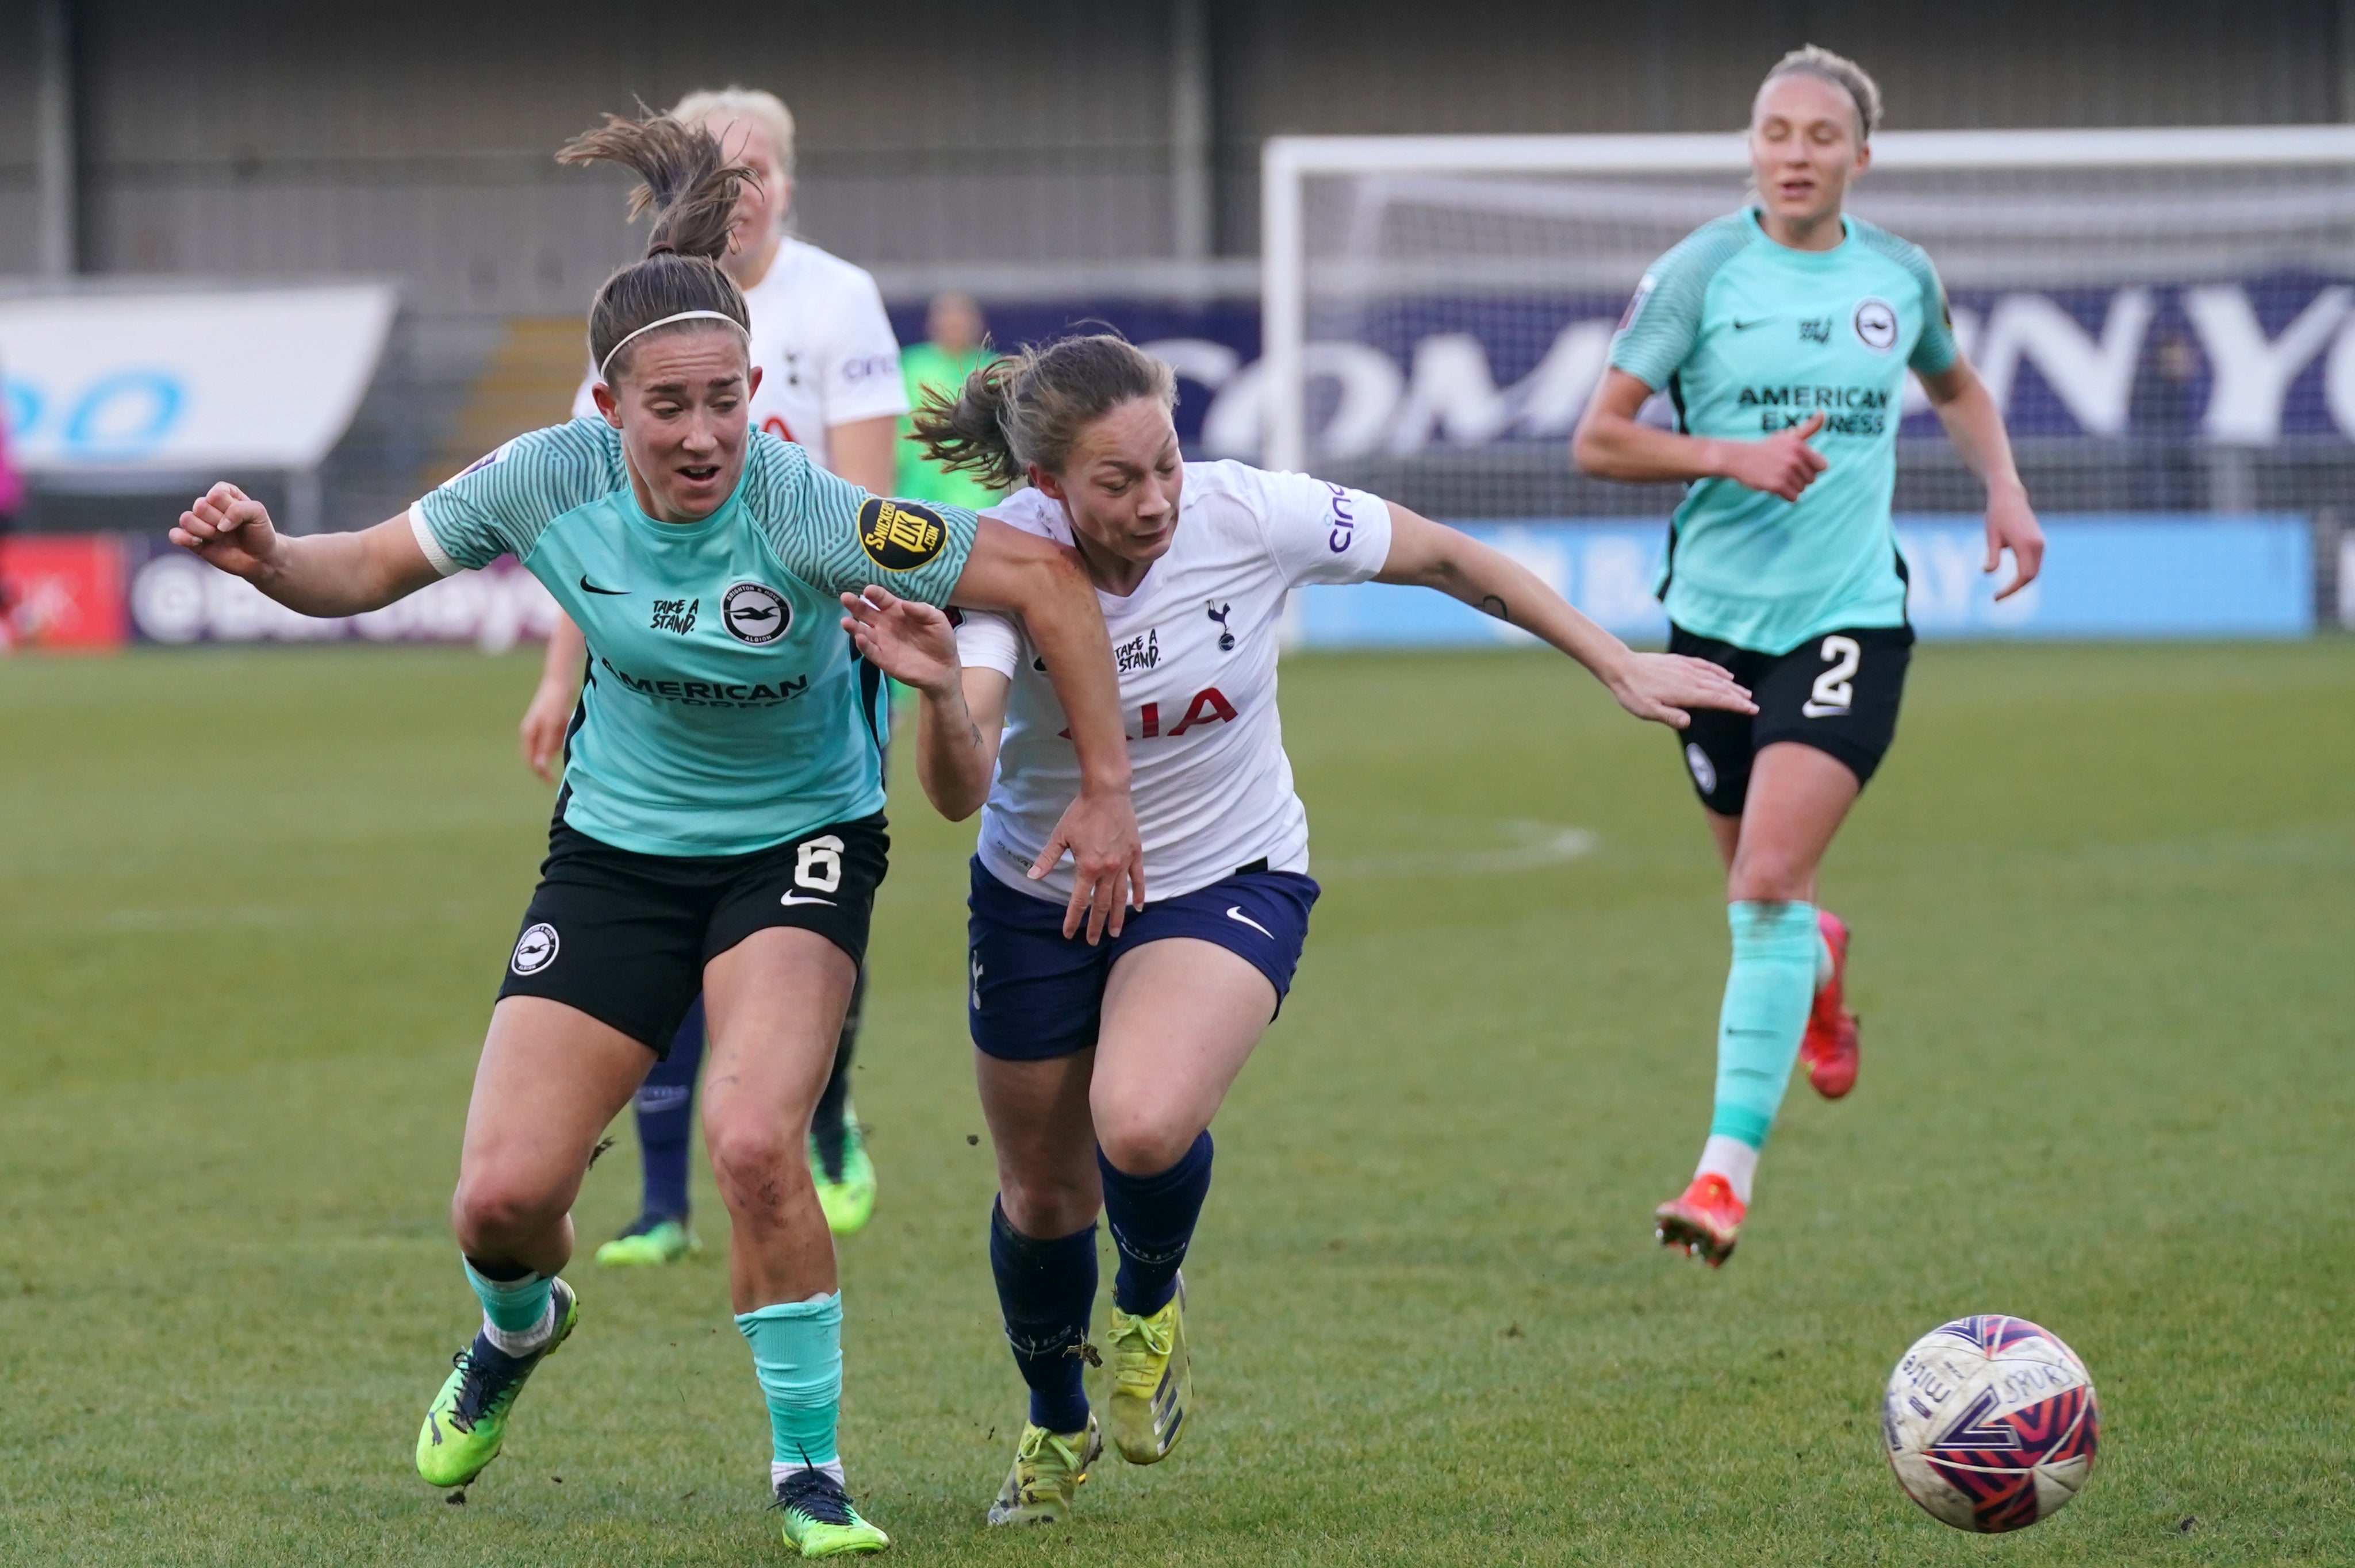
(1991, 1423)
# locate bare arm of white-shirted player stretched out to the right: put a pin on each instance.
(1650, 686)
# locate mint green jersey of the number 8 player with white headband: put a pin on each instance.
(724, 712)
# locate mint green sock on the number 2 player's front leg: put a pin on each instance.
(1765, 1016)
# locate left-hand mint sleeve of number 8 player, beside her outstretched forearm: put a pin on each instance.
(505, 500)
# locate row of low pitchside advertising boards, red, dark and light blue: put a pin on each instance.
(2161, 576)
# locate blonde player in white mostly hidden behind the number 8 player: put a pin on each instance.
(830, 383)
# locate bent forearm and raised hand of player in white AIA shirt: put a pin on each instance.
(962, 710)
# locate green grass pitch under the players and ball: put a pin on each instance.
(253, 908)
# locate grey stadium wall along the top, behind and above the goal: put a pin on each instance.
(272, 138)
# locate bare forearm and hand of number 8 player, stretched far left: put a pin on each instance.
(314, 573)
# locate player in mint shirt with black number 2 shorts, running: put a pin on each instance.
(1784, 335)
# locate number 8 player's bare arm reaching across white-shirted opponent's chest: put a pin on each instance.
(1052, 592)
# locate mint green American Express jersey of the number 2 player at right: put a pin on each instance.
(1751, 338)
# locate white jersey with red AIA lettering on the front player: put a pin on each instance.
(1195, 651)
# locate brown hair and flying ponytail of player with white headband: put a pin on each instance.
(691, 190)
